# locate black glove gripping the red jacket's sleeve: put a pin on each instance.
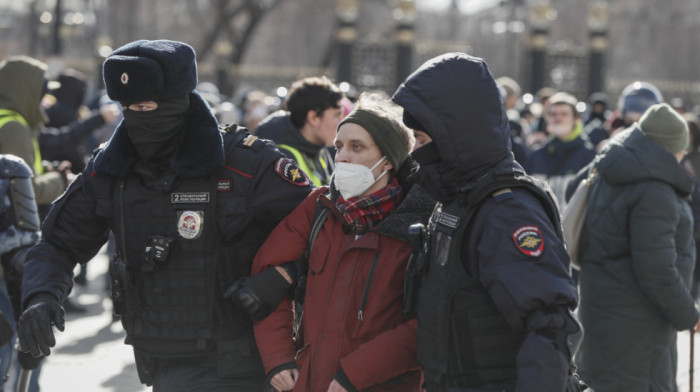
(260, 294)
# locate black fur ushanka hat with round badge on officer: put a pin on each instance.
(150, 71)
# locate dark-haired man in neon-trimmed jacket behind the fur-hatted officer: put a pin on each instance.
(307, 126)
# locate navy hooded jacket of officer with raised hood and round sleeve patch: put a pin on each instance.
(456, 101)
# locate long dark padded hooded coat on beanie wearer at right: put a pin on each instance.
(636, 265)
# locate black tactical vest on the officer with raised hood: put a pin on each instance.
(463, 339)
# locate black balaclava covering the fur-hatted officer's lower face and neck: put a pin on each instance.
(156, 133)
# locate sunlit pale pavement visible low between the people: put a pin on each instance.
(91, 356)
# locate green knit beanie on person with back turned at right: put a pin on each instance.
(666, 127)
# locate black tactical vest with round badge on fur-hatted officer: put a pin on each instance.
(173, 263)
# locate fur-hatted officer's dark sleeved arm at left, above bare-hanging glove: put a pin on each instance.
(72, 233)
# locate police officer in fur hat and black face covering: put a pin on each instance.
(189, 204)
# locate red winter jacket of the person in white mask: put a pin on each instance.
(353, 307)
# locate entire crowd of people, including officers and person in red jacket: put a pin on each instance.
(335, 242)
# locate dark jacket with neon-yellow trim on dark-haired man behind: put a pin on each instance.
(318, 162)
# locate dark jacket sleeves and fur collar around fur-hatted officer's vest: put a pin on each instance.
(78, 224)
